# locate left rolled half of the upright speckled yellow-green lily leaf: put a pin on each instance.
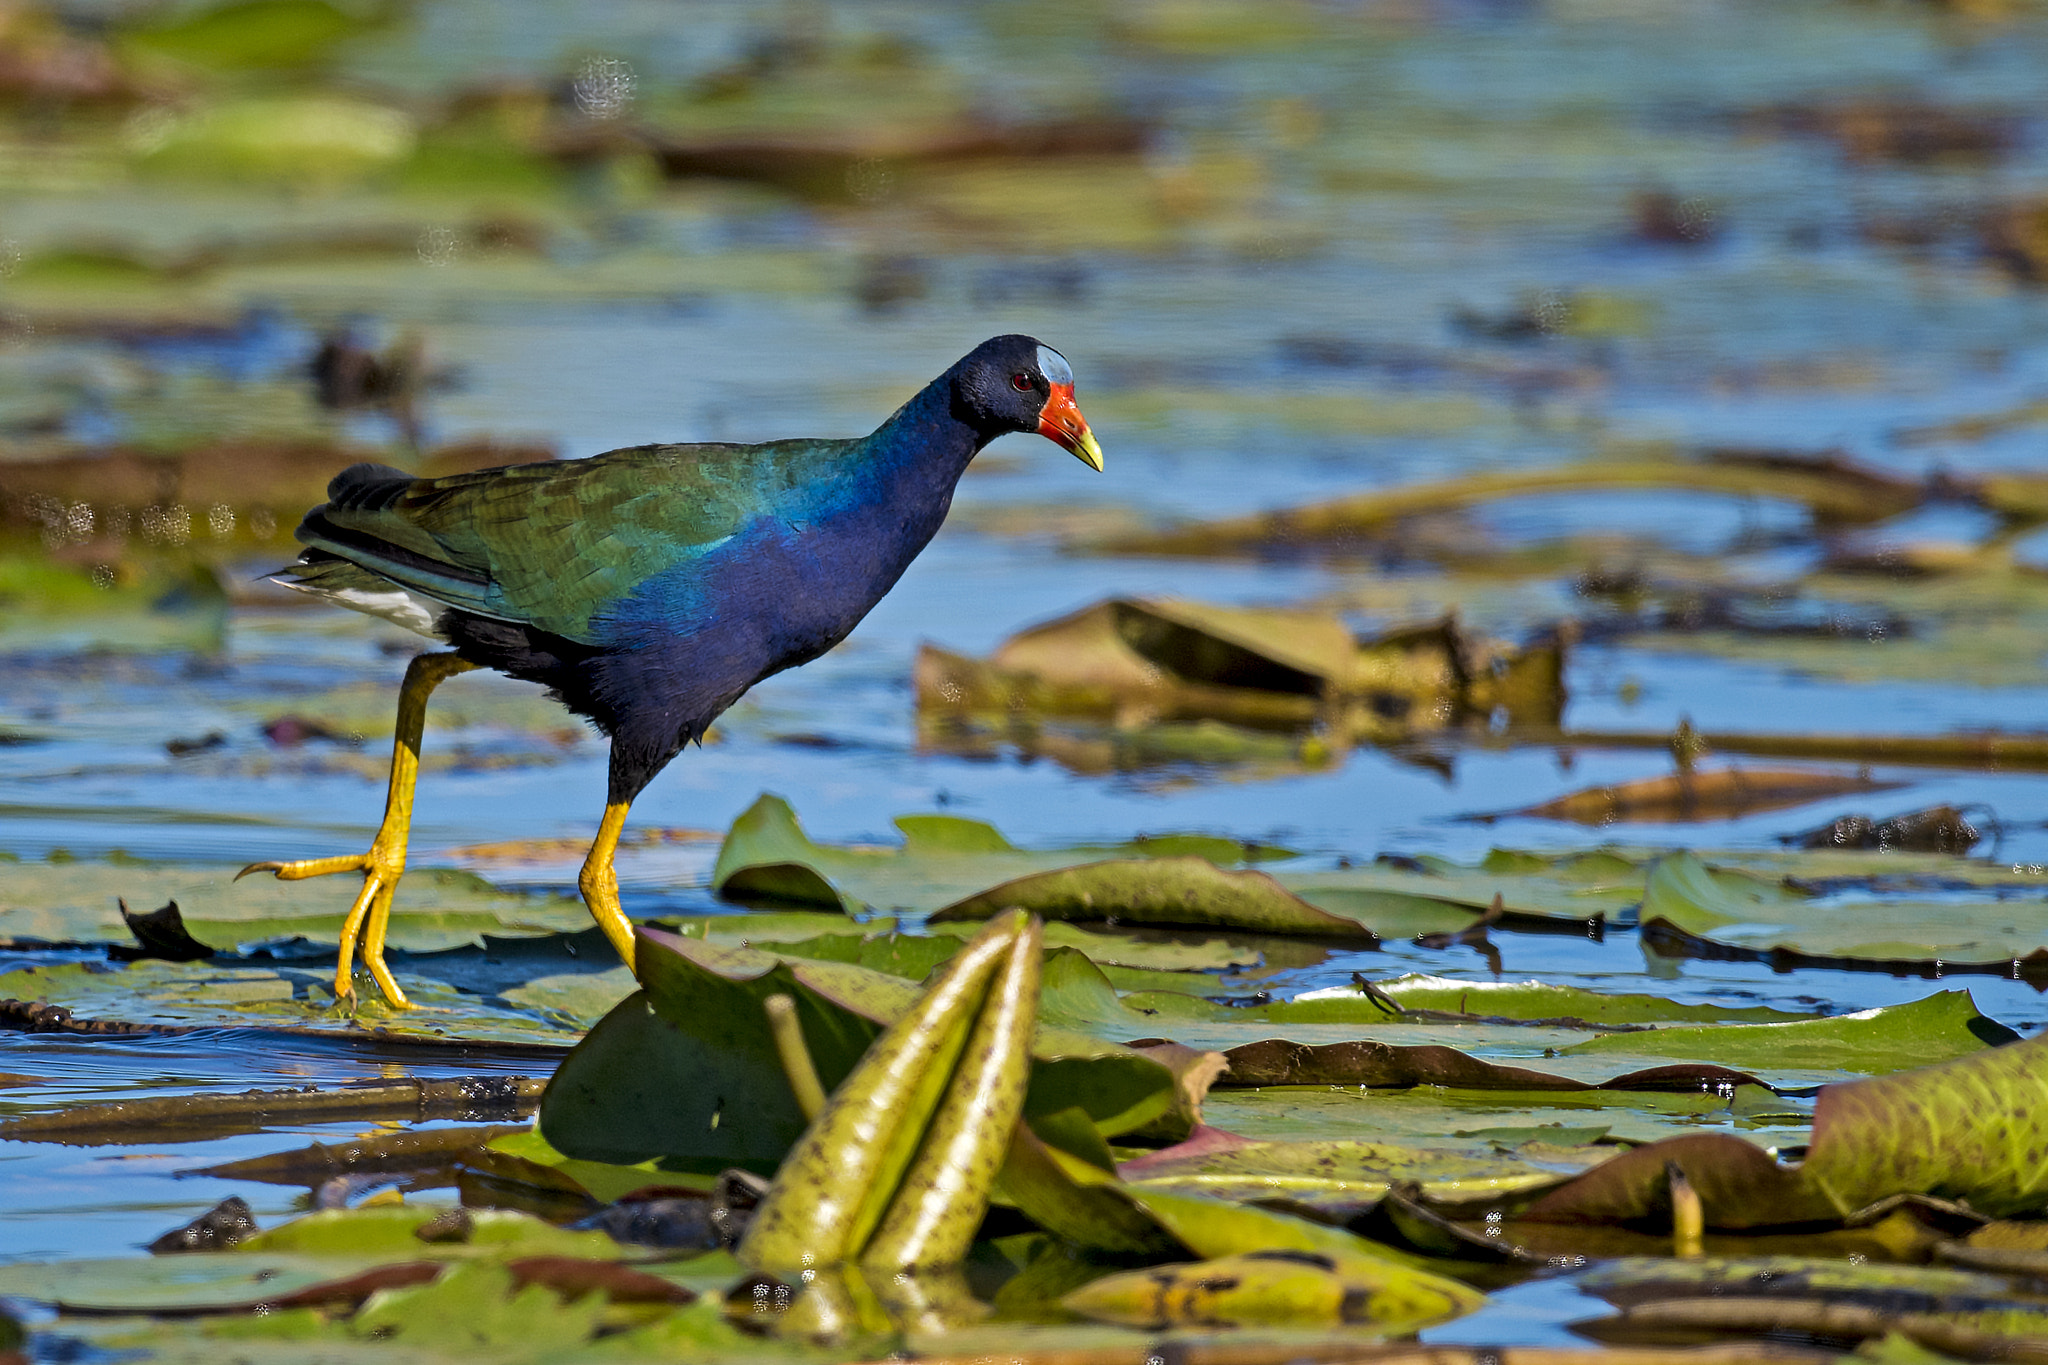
(839, 1182)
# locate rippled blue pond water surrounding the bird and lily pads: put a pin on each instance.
(1359, 247)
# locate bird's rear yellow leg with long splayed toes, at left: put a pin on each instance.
(384, 865)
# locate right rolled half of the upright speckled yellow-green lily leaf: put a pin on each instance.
(947, 1190)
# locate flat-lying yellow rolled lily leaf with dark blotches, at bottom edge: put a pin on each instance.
(1263, 1288)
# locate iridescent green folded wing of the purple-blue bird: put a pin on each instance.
(552, 545)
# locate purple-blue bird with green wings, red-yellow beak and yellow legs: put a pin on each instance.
(646, 588)
